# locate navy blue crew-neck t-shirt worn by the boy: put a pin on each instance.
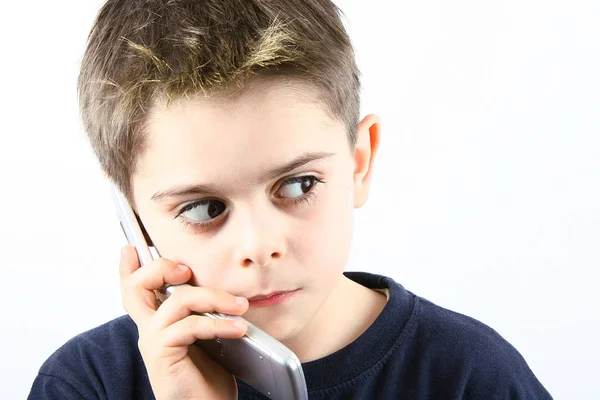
(414, 350)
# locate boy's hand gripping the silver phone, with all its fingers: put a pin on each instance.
(177, 370)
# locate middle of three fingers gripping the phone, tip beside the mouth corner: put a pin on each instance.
(188, 299)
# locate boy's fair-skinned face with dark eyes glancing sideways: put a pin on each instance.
(268, 185)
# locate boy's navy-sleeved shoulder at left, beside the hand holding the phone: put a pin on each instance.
(103, 362)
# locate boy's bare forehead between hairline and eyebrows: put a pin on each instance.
(216, 139)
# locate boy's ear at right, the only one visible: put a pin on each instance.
(367, 144)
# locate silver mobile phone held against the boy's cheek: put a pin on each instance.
(257, 358)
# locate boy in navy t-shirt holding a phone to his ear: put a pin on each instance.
(232, 128)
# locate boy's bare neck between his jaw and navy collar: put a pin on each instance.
(347, 313)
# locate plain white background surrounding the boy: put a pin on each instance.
(486, 197)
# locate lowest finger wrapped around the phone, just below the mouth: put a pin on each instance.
(194, 327)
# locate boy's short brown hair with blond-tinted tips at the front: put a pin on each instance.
(144, 52)
